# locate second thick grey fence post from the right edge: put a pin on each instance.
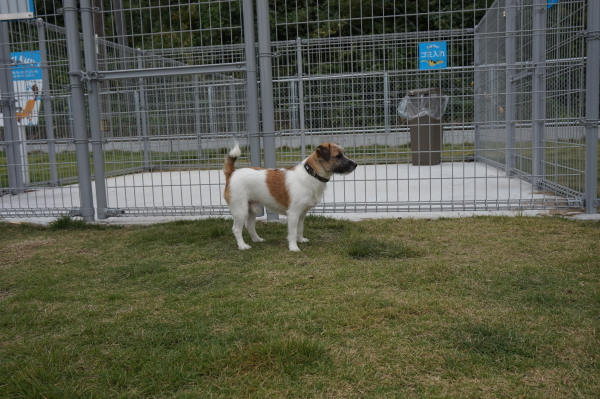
(539, 90)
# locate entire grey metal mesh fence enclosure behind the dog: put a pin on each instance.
(144, 99)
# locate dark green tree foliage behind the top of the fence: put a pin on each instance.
(152, 24)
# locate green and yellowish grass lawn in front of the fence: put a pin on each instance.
(488, 307)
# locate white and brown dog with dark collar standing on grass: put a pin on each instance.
(292, 192)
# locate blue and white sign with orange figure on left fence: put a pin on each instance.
(27, 83)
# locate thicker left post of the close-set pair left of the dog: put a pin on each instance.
(78, 110)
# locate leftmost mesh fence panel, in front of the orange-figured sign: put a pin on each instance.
(46, 158)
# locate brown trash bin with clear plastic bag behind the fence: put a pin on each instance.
(425, 131)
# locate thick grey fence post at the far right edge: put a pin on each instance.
(592, 105)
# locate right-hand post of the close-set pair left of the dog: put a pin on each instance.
(91, 65)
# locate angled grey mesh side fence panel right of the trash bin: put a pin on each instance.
(514, 74)
